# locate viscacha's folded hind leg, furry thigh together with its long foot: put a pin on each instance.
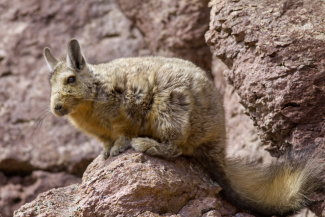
(171, 124)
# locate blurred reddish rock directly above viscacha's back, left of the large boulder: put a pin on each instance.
(172, 28)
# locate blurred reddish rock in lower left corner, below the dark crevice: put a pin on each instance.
(16, 191)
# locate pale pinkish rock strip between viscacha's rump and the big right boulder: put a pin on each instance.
(243, 140)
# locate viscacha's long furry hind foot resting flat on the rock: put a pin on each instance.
(152, 147)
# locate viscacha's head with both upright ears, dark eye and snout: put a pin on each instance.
(71, 80)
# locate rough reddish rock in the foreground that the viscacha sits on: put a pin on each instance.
(131, 184)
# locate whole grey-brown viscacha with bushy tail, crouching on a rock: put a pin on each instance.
(169, 107)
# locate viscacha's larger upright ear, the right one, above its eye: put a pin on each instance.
(75, 60)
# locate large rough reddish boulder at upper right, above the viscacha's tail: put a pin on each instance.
(274, 52)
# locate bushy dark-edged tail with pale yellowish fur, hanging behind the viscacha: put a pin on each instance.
(280, 188)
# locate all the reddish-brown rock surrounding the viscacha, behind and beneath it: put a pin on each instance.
(274, 56)
